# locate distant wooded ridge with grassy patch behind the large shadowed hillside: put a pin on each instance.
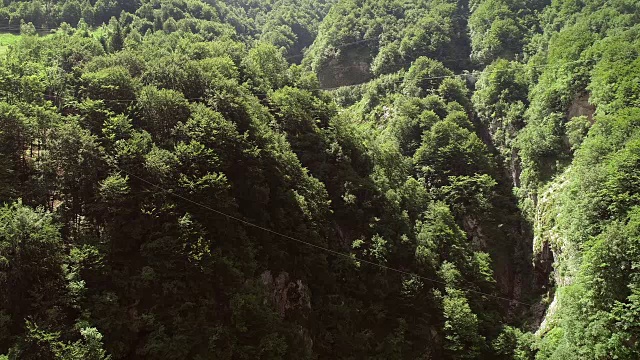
(289, 25)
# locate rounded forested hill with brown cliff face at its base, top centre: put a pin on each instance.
(362, 39)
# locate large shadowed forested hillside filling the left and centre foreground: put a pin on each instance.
(174, 188)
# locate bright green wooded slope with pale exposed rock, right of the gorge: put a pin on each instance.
(565, 122)
